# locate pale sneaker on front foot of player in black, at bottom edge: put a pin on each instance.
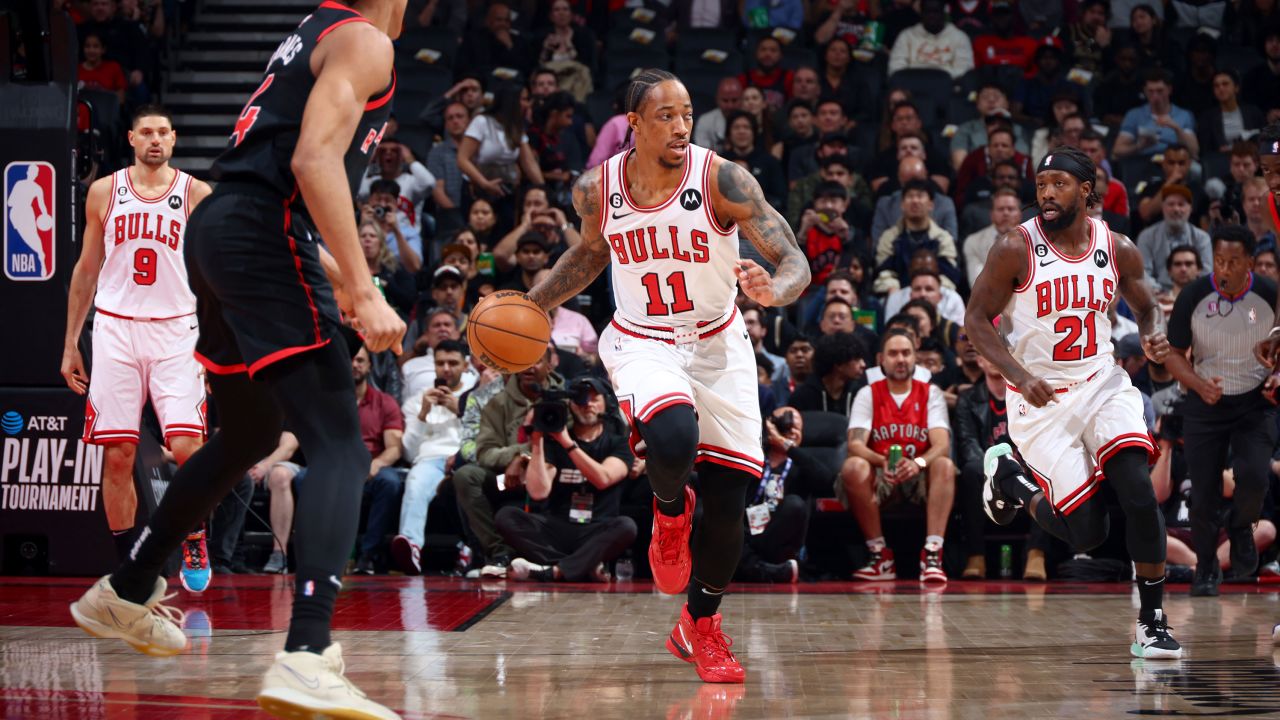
(305, 685)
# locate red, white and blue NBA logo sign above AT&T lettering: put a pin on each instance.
(29, 221)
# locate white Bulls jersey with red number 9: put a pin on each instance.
(144, 275)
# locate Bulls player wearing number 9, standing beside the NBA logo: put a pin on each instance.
(132, 271)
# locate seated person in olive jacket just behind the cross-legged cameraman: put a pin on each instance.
(504, 454)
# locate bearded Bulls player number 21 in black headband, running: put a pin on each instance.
(1073, 413)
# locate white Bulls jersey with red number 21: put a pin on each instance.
(1058, 320)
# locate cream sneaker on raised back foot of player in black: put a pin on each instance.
(150, 628)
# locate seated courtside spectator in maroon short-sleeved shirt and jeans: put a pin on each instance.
(382, 426)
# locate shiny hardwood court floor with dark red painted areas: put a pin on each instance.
(454, 649)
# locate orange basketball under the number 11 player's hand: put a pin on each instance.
(509, 332)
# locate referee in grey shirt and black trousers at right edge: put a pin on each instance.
(1220, 318)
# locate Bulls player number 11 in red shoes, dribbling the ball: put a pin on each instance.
(668, 215)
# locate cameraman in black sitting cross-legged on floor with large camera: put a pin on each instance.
(579, 458)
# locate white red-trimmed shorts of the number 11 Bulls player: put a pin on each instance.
(712, 370)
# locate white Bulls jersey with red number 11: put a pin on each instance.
(673, 263)
